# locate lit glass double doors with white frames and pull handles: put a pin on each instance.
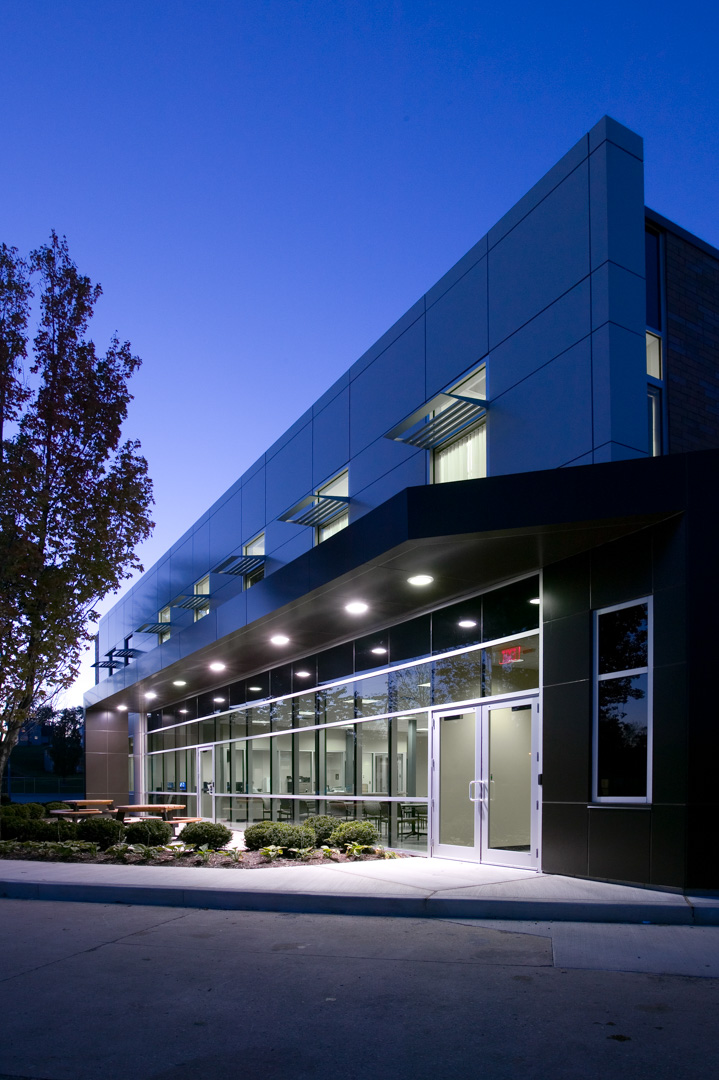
(485, 784)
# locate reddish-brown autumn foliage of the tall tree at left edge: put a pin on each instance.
(75, 498)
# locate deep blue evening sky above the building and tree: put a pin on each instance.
(264, 186)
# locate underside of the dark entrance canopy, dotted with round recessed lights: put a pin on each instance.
(460, 565)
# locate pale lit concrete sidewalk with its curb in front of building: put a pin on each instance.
(420, 888)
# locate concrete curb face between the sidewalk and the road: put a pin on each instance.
(542, 911)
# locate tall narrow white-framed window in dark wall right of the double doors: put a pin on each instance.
(623, 704)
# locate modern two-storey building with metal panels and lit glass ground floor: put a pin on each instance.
(468, 595)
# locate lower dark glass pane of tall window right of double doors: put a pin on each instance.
(622, 738)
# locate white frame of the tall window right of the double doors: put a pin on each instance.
(598, 679)
